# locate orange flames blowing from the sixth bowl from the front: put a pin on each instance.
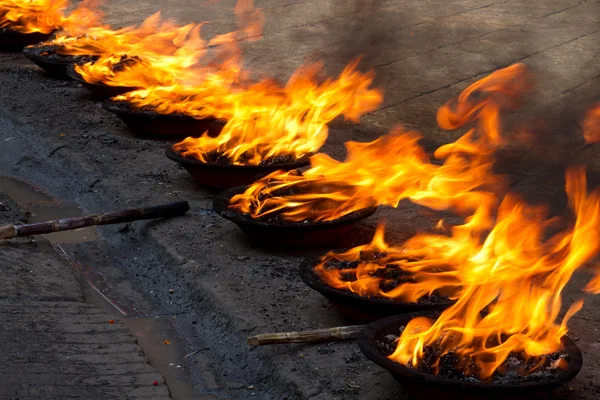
(164, 59)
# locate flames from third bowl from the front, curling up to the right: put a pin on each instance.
(395, 167)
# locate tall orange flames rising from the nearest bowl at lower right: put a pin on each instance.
(512, 280)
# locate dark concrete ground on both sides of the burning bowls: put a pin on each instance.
(224, 288)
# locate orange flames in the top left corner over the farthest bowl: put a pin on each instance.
(46, 16)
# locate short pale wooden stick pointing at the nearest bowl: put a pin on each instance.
(319, 335)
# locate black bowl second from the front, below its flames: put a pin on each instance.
(357, 308)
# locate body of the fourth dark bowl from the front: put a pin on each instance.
(224, 176)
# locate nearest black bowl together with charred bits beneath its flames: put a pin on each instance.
(376, 341)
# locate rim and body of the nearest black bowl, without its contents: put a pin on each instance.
(426, 386)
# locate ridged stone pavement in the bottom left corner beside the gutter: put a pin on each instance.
(54, 346)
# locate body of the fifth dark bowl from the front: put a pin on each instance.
(150, 123)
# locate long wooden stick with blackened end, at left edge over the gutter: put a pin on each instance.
(66, 224)
